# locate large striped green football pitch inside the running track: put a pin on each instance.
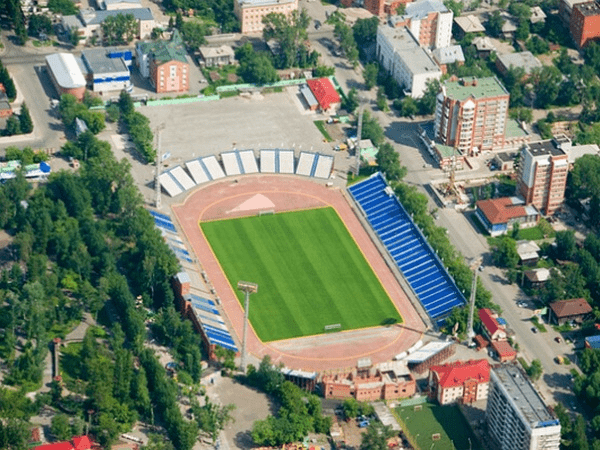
(310, 273)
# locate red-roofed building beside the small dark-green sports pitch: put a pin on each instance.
(460, 381)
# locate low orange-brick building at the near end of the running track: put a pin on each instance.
(387, 381)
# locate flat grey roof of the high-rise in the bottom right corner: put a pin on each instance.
(524, 396)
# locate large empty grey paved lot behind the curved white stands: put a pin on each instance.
(207, 128)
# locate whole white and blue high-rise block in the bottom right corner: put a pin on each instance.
(518, 418)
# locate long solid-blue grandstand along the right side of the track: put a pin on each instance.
(407, 246)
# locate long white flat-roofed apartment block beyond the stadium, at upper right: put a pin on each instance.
(401, 56)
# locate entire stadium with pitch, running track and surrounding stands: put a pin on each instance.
(343, 274)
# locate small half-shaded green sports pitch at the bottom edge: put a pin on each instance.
(448, 421)
